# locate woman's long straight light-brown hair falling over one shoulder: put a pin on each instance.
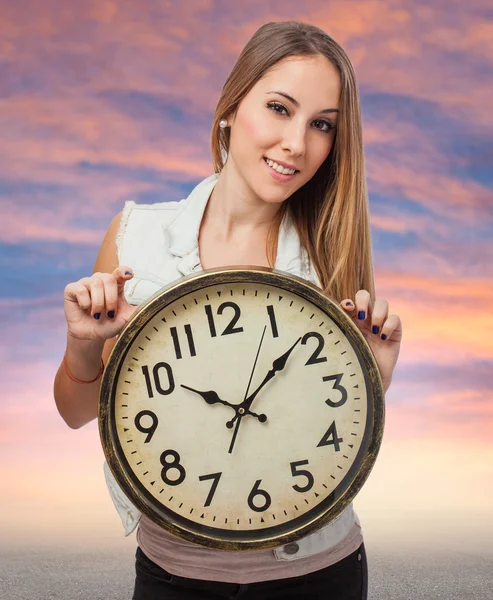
(330, 212)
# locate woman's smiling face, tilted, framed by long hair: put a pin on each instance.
(297, 131)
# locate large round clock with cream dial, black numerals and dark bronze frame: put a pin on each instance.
(240, 412)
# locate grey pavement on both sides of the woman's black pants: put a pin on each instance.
(398, 574)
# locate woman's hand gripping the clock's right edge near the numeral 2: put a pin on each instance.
(386, 350)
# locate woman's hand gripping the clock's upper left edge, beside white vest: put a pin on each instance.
(95, 307)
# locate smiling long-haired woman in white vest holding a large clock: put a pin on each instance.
(288, 192)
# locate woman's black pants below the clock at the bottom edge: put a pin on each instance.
(345, 580)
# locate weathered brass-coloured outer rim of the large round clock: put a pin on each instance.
(246, 274)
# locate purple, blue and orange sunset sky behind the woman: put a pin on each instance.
(105, 101)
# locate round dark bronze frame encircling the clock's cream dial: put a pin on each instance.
(266, 537)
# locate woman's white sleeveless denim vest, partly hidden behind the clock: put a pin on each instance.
(159, 242)
